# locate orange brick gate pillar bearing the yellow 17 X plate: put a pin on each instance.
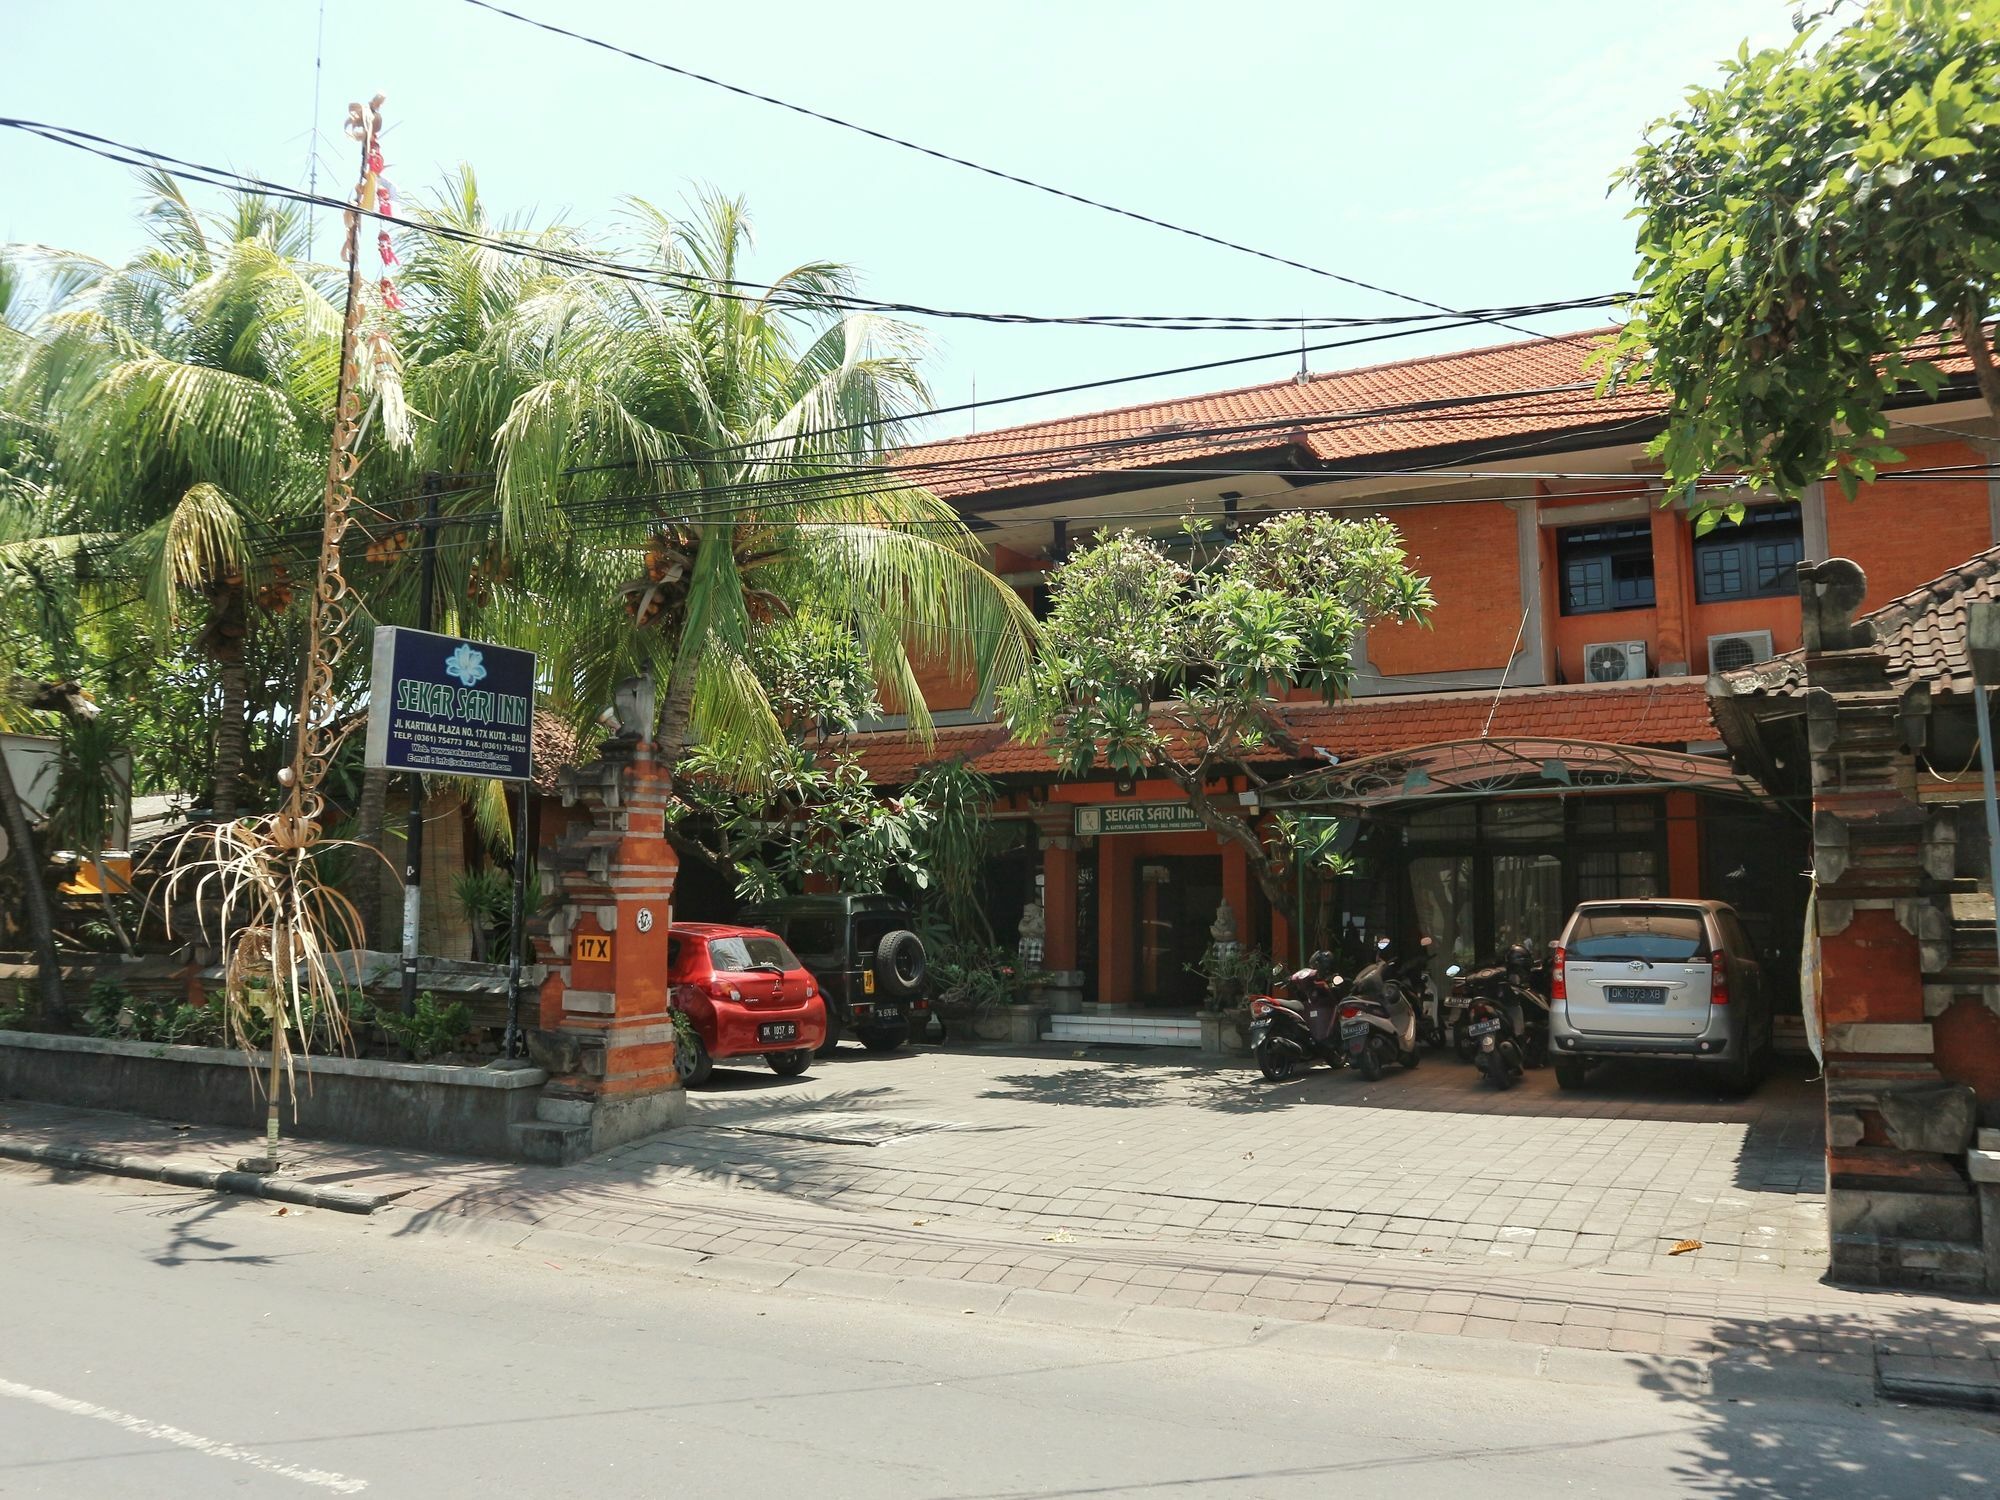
(607, 1037)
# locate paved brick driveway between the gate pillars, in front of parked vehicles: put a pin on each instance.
(1155, 1145)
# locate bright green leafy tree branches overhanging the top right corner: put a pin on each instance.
(1815, 231)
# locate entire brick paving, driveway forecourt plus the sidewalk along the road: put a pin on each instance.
(1417, 1205)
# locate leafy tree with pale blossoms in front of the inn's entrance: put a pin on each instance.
(1157, 667)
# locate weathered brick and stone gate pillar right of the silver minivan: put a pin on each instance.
(1901, 1209)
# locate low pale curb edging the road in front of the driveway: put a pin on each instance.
(1761, 1377)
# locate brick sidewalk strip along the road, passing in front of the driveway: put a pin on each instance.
(1735, 1335)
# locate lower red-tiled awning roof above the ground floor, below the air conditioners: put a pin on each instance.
(1663, 711)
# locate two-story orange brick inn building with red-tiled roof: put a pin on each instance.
(1545, 739)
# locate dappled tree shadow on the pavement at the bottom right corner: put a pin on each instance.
(1841, 1445)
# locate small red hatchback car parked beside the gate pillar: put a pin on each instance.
(747, 995)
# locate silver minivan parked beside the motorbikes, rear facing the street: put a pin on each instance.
(1659, 979)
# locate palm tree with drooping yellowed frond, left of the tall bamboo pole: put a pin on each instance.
(189, 393)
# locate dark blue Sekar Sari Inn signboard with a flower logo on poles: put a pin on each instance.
(451, 707)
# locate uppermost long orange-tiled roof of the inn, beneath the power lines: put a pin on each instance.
(1345, 415)
